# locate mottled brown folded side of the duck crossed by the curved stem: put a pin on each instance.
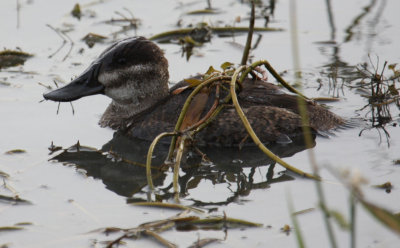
(271, 124)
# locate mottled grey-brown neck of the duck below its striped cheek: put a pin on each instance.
(133, 97)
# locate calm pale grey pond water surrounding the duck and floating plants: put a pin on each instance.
(70, 200)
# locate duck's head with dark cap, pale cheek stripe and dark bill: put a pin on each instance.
(128, 71)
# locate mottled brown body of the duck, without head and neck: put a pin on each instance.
(272, 113)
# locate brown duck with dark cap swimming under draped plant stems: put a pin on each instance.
(133, 72)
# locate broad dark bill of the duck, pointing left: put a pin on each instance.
(85, 85)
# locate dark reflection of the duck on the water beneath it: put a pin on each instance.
(120, 164)
